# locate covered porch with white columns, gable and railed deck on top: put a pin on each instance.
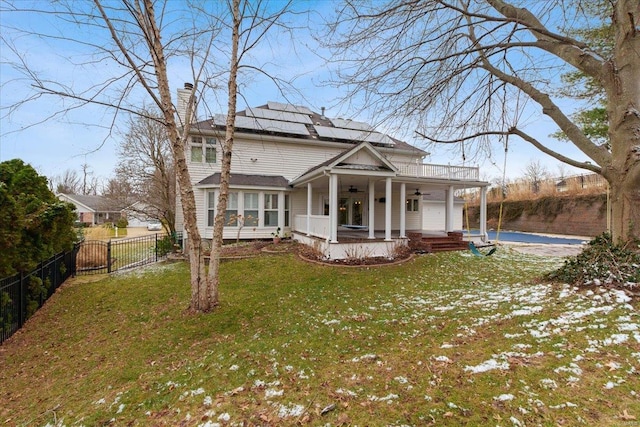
(360, 203)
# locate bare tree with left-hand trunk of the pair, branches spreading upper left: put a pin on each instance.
(141, 40)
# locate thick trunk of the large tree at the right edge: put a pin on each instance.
(622, 84)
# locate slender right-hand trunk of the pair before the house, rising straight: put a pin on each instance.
(213, 278)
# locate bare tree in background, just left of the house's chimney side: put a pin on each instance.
(146, 164)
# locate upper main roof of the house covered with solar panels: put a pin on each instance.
(300, 122)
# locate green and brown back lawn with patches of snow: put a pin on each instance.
(303, 344)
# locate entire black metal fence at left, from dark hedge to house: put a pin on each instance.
(23, 294)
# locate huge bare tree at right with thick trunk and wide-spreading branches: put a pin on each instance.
(465, 71)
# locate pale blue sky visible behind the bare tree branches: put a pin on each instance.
(52, 143)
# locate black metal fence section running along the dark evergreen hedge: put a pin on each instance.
(23, 294)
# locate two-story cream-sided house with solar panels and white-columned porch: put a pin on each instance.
(337, 185)
